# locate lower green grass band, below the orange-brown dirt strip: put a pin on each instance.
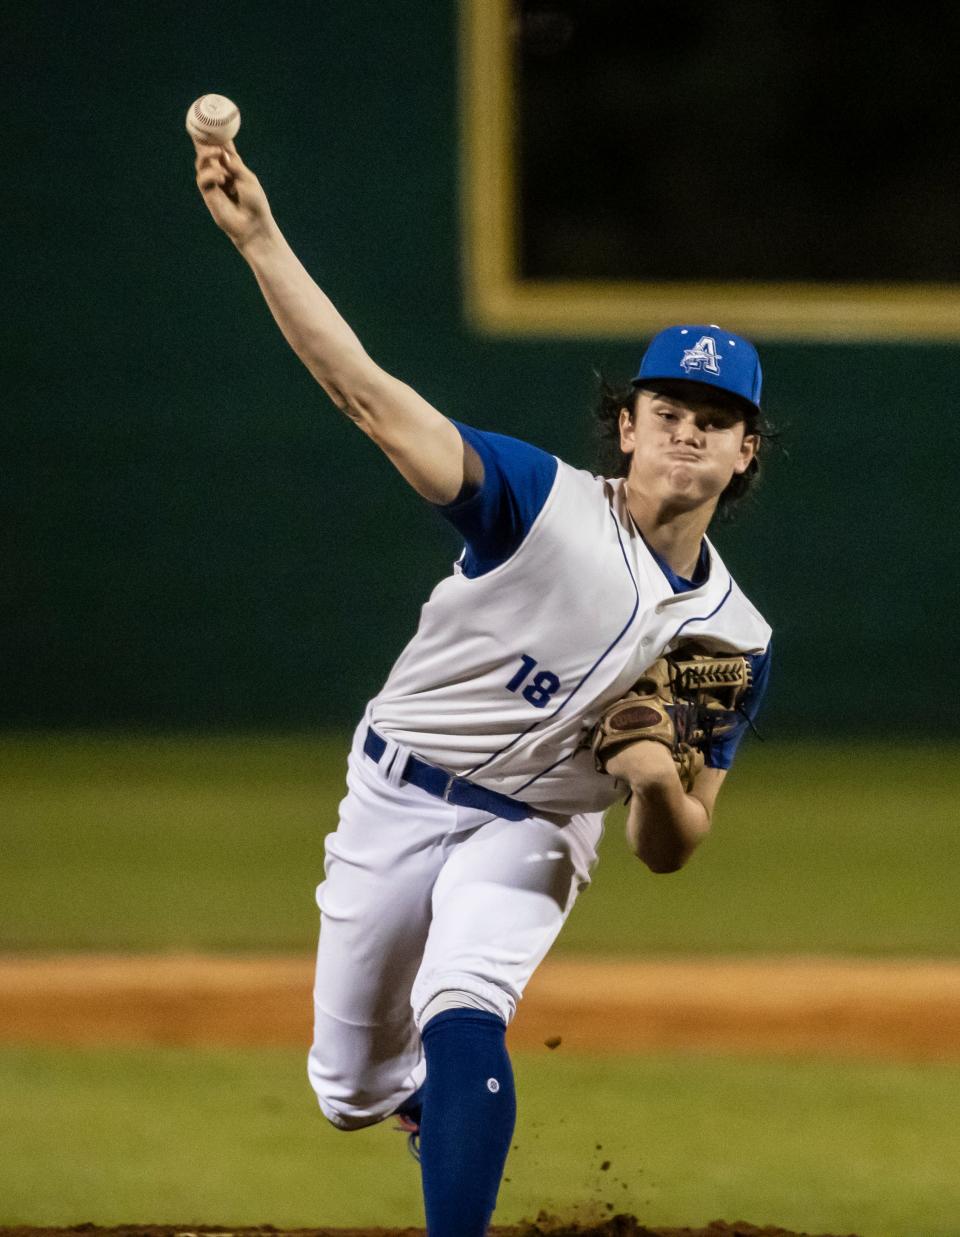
(233, 1137)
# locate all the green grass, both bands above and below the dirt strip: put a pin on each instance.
(205, 844)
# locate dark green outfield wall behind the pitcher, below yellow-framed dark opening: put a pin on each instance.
(194, 537)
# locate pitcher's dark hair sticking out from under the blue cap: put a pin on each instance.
(613, 400)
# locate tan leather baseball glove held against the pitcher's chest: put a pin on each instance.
(685, 701)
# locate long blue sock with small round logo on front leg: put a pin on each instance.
(469, 1110)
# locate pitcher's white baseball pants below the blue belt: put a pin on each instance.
(421, 899)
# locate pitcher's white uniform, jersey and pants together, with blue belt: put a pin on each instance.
(554, 610)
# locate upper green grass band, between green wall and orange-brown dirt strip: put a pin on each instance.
(218, 844)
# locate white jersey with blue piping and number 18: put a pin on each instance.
(519, 653)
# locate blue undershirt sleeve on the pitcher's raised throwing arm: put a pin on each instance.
(497, 518)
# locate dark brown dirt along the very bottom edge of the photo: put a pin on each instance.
(618, 1226)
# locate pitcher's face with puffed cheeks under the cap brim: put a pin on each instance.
(685, 448)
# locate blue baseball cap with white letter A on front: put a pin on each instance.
(705, 354)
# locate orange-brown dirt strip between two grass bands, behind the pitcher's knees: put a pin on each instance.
(907, 1010)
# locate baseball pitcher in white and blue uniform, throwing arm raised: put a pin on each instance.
(479, 775)
